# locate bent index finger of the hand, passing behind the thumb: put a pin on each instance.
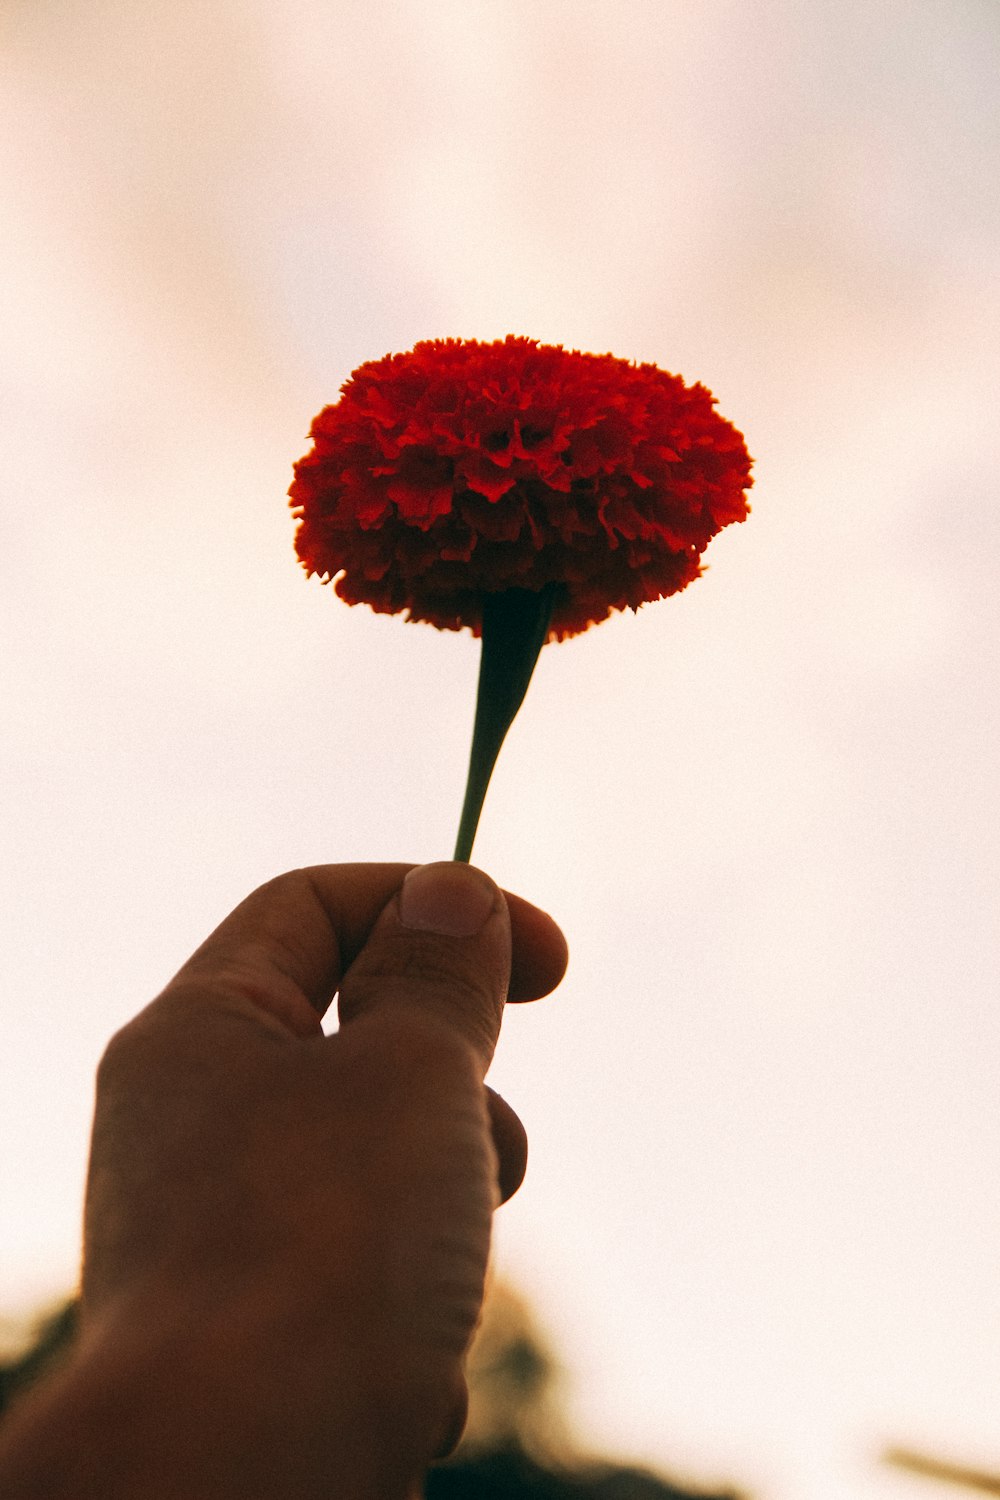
(289, 944)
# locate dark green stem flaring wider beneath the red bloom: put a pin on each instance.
(515, 629)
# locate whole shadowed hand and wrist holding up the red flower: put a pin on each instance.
(287, 1234)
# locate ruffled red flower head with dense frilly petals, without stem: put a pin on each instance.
(466, 469)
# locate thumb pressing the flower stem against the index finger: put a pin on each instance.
(440, 947)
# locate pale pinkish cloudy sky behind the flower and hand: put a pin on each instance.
(762, 1213)
